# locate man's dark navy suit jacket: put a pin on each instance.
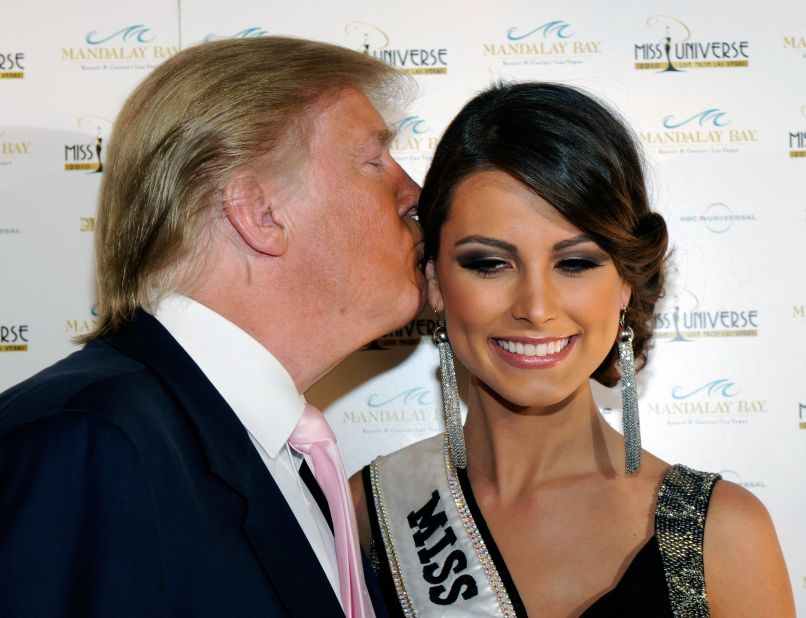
(128, 487)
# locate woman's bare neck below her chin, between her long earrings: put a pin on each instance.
(513, 450)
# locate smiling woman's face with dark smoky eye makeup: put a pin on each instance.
(531, 304)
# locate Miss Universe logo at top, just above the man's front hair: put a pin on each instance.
(371, 40)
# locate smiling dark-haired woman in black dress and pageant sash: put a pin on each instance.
(546, 262)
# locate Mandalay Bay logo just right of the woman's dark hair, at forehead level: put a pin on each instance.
(707, 131)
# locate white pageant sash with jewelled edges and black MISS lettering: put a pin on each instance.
(439, 562)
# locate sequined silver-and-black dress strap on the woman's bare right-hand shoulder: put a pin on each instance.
(679, 525)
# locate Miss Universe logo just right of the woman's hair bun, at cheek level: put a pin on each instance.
(682, 319)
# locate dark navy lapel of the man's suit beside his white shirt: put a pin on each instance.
(269, 523)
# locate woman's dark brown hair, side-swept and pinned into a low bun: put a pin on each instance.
(579, 156)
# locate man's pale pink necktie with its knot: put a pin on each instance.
(314, 439)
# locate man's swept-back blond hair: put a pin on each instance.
(197, 118)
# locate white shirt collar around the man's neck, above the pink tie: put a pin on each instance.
(249, 378)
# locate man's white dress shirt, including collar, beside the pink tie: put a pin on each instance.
(265, 399)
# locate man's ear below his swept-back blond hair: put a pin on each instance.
(250, 211)
